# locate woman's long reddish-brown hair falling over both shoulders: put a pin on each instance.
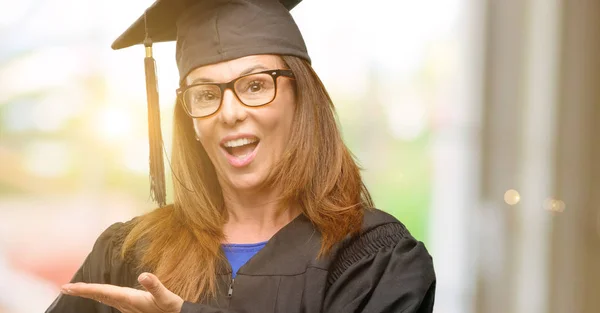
(181, 243)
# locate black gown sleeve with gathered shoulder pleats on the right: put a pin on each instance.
(384, 270)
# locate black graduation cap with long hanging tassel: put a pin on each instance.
(207, 32)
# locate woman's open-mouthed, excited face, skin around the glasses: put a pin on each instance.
(243, 142)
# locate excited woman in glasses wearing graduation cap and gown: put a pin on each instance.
(270, 213)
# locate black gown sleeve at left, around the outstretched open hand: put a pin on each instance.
(103, 265)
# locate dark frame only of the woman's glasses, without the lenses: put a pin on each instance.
(230, 85)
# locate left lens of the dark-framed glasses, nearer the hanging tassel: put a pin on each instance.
(202, 100)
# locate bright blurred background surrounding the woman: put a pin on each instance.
(475, 122)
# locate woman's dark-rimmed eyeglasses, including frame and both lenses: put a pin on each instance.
(253, 90)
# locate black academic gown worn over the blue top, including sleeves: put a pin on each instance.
(383, 270)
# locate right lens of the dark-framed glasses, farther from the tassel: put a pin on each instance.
(255, 90)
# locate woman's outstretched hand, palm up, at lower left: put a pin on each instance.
(157, 298)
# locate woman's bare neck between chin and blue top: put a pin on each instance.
(255, 217)
